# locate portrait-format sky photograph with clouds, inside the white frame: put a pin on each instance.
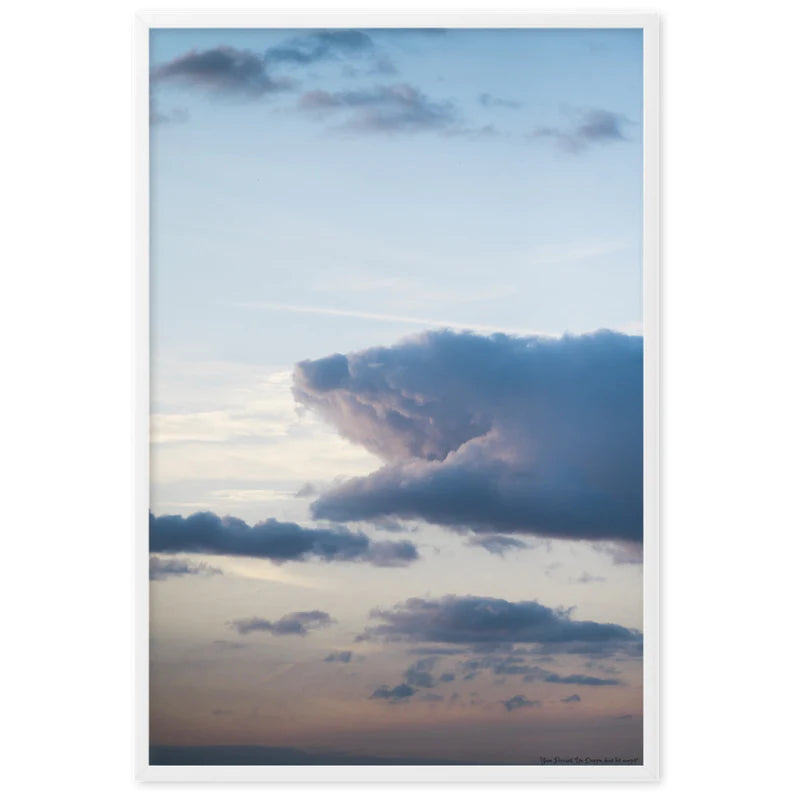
(396, 396)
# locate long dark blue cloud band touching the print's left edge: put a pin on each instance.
(205, 532)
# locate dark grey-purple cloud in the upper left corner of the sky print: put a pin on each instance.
(222, 71)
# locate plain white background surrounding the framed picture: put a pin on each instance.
(730, 400)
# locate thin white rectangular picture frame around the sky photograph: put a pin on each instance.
(649, 770)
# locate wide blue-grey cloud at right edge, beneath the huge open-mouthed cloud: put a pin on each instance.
(482, 620)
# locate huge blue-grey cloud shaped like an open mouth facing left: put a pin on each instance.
(499, 434)
